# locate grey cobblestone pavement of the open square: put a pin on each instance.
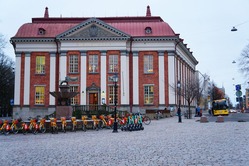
(162, 143)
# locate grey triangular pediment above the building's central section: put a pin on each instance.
(93, 29)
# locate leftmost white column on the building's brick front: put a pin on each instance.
(17, 79)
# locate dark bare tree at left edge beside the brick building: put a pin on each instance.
(6, 80)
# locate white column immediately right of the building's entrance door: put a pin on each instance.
(103, 77)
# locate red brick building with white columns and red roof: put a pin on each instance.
(148, 56)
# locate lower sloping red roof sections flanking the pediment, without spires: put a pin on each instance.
(134, 29)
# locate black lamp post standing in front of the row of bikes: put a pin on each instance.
(115, 125)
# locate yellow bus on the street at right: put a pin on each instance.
(220, 107)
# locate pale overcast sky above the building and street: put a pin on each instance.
(205, 25)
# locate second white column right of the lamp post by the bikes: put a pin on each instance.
(135, 79)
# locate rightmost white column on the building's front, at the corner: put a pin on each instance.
(171, 77)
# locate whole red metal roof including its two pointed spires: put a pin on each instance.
(133, 26)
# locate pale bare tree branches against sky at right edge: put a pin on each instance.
(244, 62)
